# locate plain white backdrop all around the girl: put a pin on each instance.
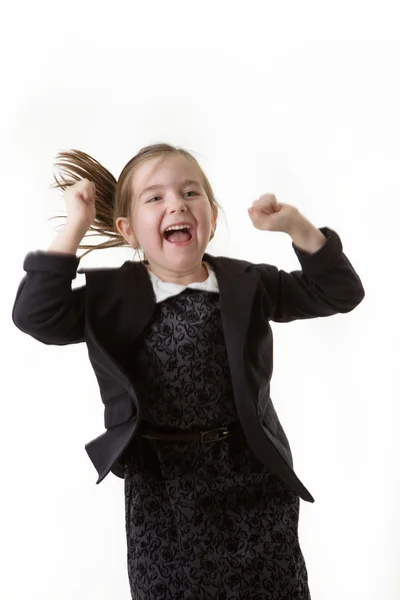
(298, 99)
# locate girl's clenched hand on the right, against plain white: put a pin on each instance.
(268, 214)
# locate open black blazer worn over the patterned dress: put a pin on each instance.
(112, 309)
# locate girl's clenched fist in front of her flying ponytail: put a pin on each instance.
(80, 202)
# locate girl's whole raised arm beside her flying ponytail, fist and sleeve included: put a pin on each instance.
(46, 307)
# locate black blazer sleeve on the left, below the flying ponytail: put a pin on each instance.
(46, 307)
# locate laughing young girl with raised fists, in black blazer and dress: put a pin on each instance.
(181, 346)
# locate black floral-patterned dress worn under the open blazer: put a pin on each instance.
(203, 521)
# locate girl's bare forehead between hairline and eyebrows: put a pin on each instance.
(173, 167)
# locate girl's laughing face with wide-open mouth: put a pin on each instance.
(177, 197)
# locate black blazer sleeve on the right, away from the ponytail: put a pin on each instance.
(326, 285)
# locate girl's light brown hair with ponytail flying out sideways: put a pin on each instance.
(114, 198)
